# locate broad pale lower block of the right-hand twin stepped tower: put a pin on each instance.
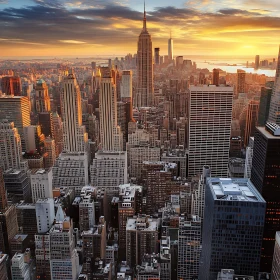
(109, 170)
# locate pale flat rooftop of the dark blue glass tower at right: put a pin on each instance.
(234, 189)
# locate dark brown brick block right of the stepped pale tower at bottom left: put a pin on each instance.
(94, 245)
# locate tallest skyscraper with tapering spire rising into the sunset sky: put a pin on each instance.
(145, 84)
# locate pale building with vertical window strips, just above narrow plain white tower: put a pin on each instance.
(41, 184)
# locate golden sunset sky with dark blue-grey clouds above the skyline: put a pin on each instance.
(111, 27)
